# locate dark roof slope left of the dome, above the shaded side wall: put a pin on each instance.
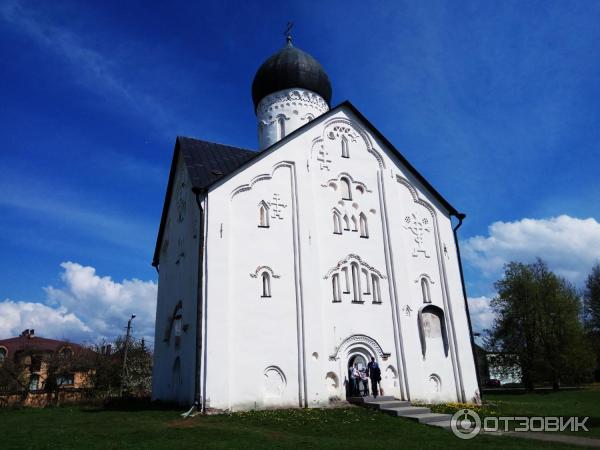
(206, 162)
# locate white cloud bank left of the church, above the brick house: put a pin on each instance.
(86, 307)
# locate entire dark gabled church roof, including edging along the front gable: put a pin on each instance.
(208, 162)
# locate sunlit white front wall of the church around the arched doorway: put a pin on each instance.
(292, 348)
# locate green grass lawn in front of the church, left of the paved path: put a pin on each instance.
(352, 427)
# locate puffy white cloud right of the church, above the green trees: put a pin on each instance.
(569, 245)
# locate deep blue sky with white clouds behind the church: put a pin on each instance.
(496, 103)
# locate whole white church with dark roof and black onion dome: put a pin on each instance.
(282, 267)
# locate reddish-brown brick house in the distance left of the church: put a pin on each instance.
(35, 359)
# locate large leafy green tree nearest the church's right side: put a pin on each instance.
(538, 326)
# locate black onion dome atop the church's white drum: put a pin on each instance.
(290, 67)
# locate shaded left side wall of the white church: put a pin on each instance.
(177, 282)
